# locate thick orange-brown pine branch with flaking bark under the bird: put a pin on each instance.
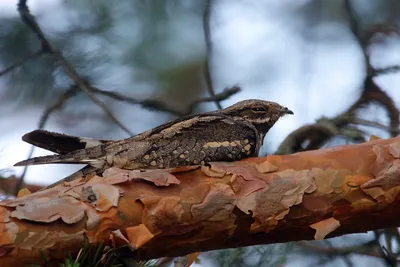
(307, 195)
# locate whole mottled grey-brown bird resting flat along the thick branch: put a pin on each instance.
(224, 135)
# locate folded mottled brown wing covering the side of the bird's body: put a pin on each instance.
(186, 142)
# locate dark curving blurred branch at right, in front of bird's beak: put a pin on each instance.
(317, 134)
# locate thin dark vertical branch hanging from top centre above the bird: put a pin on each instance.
(207, 33)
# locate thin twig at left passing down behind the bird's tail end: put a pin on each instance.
(43, 119)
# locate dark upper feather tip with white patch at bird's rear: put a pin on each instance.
(60, 143)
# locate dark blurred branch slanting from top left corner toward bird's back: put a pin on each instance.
(30, 21)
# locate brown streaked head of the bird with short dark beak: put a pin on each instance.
(262, 114)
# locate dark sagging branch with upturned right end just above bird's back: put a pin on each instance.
(160, 106)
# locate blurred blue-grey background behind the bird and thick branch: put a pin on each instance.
(334, 63)
